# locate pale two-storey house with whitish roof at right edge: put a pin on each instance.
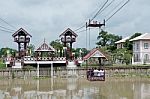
(141, 49)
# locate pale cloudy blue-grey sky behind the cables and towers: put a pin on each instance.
(47, 19)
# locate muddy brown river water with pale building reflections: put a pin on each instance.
(75, 88)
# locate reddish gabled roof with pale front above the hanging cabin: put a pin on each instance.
(95, 53)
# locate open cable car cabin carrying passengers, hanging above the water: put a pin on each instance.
(96, 75)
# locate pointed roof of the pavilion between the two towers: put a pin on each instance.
(45, 48)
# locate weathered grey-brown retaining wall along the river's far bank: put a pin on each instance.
(79, 72)
